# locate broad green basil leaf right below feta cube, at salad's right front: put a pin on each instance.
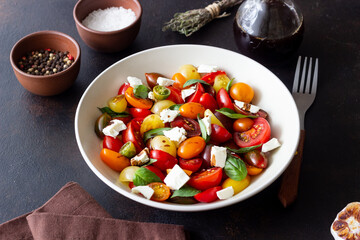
(235, 168)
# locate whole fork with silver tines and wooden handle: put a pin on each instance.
(304, 96)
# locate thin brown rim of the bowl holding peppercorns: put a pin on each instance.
(44, 32)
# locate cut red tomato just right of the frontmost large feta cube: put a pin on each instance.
(206, 179)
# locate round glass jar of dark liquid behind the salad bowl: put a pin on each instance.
(268, 31)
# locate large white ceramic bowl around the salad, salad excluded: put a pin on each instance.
(270, 94)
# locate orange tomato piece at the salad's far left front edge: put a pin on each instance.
(114, 160)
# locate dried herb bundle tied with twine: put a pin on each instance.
(190, 21)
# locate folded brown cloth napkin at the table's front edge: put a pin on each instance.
(73, 214)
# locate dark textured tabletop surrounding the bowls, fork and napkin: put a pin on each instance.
(39, 154)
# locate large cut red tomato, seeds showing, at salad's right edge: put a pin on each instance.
(259, 133)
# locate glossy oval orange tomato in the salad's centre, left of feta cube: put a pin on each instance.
(191, 147)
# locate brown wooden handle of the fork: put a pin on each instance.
(290, 179)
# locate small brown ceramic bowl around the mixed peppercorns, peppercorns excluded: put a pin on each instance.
(50, 84)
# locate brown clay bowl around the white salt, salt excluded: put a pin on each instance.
(111, 41)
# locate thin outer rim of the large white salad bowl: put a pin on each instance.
(181, 207)
